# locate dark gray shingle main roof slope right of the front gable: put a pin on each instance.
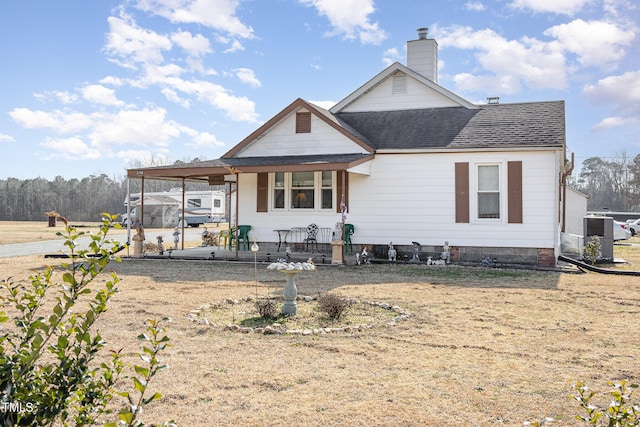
(489, 126)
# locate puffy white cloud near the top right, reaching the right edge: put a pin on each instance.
(596, 43)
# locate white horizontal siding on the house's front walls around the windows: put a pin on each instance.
(411, 197)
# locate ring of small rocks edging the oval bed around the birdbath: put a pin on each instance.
(278, 329)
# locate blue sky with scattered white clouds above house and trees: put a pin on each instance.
(91, 87)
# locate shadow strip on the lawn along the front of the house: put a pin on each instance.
(327, 277)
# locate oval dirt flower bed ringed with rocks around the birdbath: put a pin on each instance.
(314, 316)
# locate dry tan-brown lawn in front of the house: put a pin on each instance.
(482, 347)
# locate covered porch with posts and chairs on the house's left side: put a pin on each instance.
(278, 228)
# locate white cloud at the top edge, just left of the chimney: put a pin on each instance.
(350, 18)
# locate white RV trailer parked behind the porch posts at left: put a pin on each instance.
(164, 209)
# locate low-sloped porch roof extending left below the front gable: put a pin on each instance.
(209, 170)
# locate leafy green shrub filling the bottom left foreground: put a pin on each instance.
(50, 369)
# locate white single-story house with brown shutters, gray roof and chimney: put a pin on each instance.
(412, 161)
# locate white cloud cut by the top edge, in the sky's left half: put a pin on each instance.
(217, 14)
